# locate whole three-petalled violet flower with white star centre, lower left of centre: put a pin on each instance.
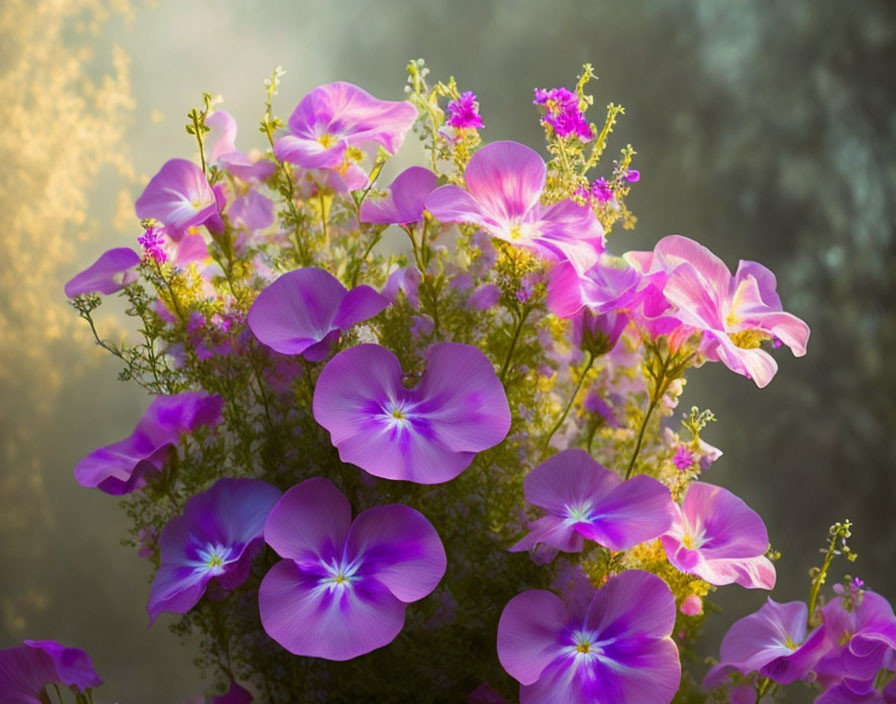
(343, 587)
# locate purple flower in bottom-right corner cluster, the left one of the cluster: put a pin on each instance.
(773, 642)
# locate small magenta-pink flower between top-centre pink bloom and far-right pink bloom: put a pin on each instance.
(611, 284)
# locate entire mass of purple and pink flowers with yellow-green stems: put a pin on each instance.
(421, 441)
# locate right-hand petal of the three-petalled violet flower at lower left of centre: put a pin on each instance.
(400, 548)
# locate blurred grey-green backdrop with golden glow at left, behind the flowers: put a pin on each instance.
(765, 130)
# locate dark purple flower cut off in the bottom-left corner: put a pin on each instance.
(26, 671)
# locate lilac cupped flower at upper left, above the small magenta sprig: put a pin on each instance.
(178, 196)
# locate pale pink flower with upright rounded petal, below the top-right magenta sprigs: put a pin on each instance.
(505, 181)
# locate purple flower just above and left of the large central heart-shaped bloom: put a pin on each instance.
(304, 312)
